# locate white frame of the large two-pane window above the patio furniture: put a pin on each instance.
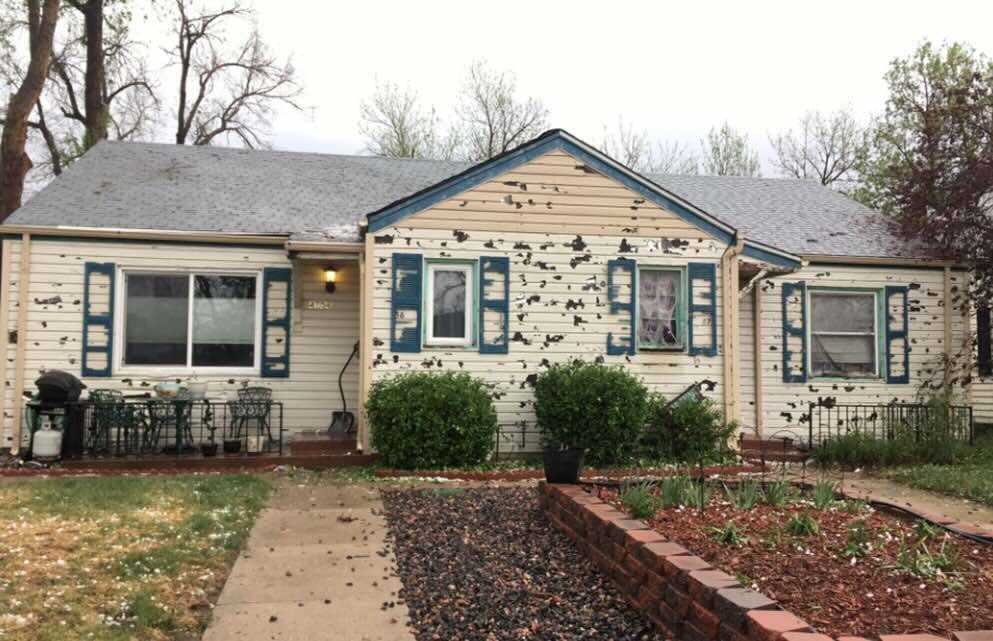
(120, 313)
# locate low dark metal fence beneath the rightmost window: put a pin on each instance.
(914, 421)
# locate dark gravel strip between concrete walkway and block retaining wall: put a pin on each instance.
(486, 565)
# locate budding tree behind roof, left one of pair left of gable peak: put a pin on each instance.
(396, 126)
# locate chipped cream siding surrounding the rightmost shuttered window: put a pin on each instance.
(785, 406)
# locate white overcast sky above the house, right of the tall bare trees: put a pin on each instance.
(673, 68)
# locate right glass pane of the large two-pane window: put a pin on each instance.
(223, 321)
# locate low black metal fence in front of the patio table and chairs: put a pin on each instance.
(155, 427)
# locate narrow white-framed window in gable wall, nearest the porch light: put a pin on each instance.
(449, 301)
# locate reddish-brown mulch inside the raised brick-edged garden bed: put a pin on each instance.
(838, 596)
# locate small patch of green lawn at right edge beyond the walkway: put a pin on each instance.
(972, 479)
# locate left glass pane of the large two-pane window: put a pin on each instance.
(155, 323)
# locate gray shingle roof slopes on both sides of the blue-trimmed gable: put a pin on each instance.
(177, 188)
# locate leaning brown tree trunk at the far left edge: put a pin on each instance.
(14, 161)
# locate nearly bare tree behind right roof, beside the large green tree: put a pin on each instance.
(825, 147)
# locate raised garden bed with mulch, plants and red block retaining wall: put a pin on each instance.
(765, 571)
